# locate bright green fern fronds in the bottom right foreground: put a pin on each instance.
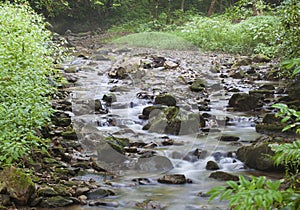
(255, 194)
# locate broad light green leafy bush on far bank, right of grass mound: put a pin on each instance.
(255, 35)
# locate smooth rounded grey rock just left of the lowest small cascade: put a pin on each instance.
(154, 164)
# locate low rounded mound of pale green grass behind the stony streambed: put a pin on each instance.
(157, 40)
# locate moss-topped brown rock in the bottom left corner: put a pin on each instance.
(18, 185)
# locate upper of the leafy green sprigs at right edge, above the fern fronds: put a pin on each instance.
(288, 115)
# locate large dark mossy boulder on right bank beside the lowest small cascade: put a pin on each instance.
(258, 156)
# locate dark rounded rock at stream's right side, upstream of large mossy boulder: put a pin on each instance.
(243, 102)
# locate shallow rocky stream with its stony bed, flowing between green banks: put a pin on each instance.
(153, 153)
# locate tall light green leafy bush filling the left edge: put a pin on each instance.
(25, 50)
